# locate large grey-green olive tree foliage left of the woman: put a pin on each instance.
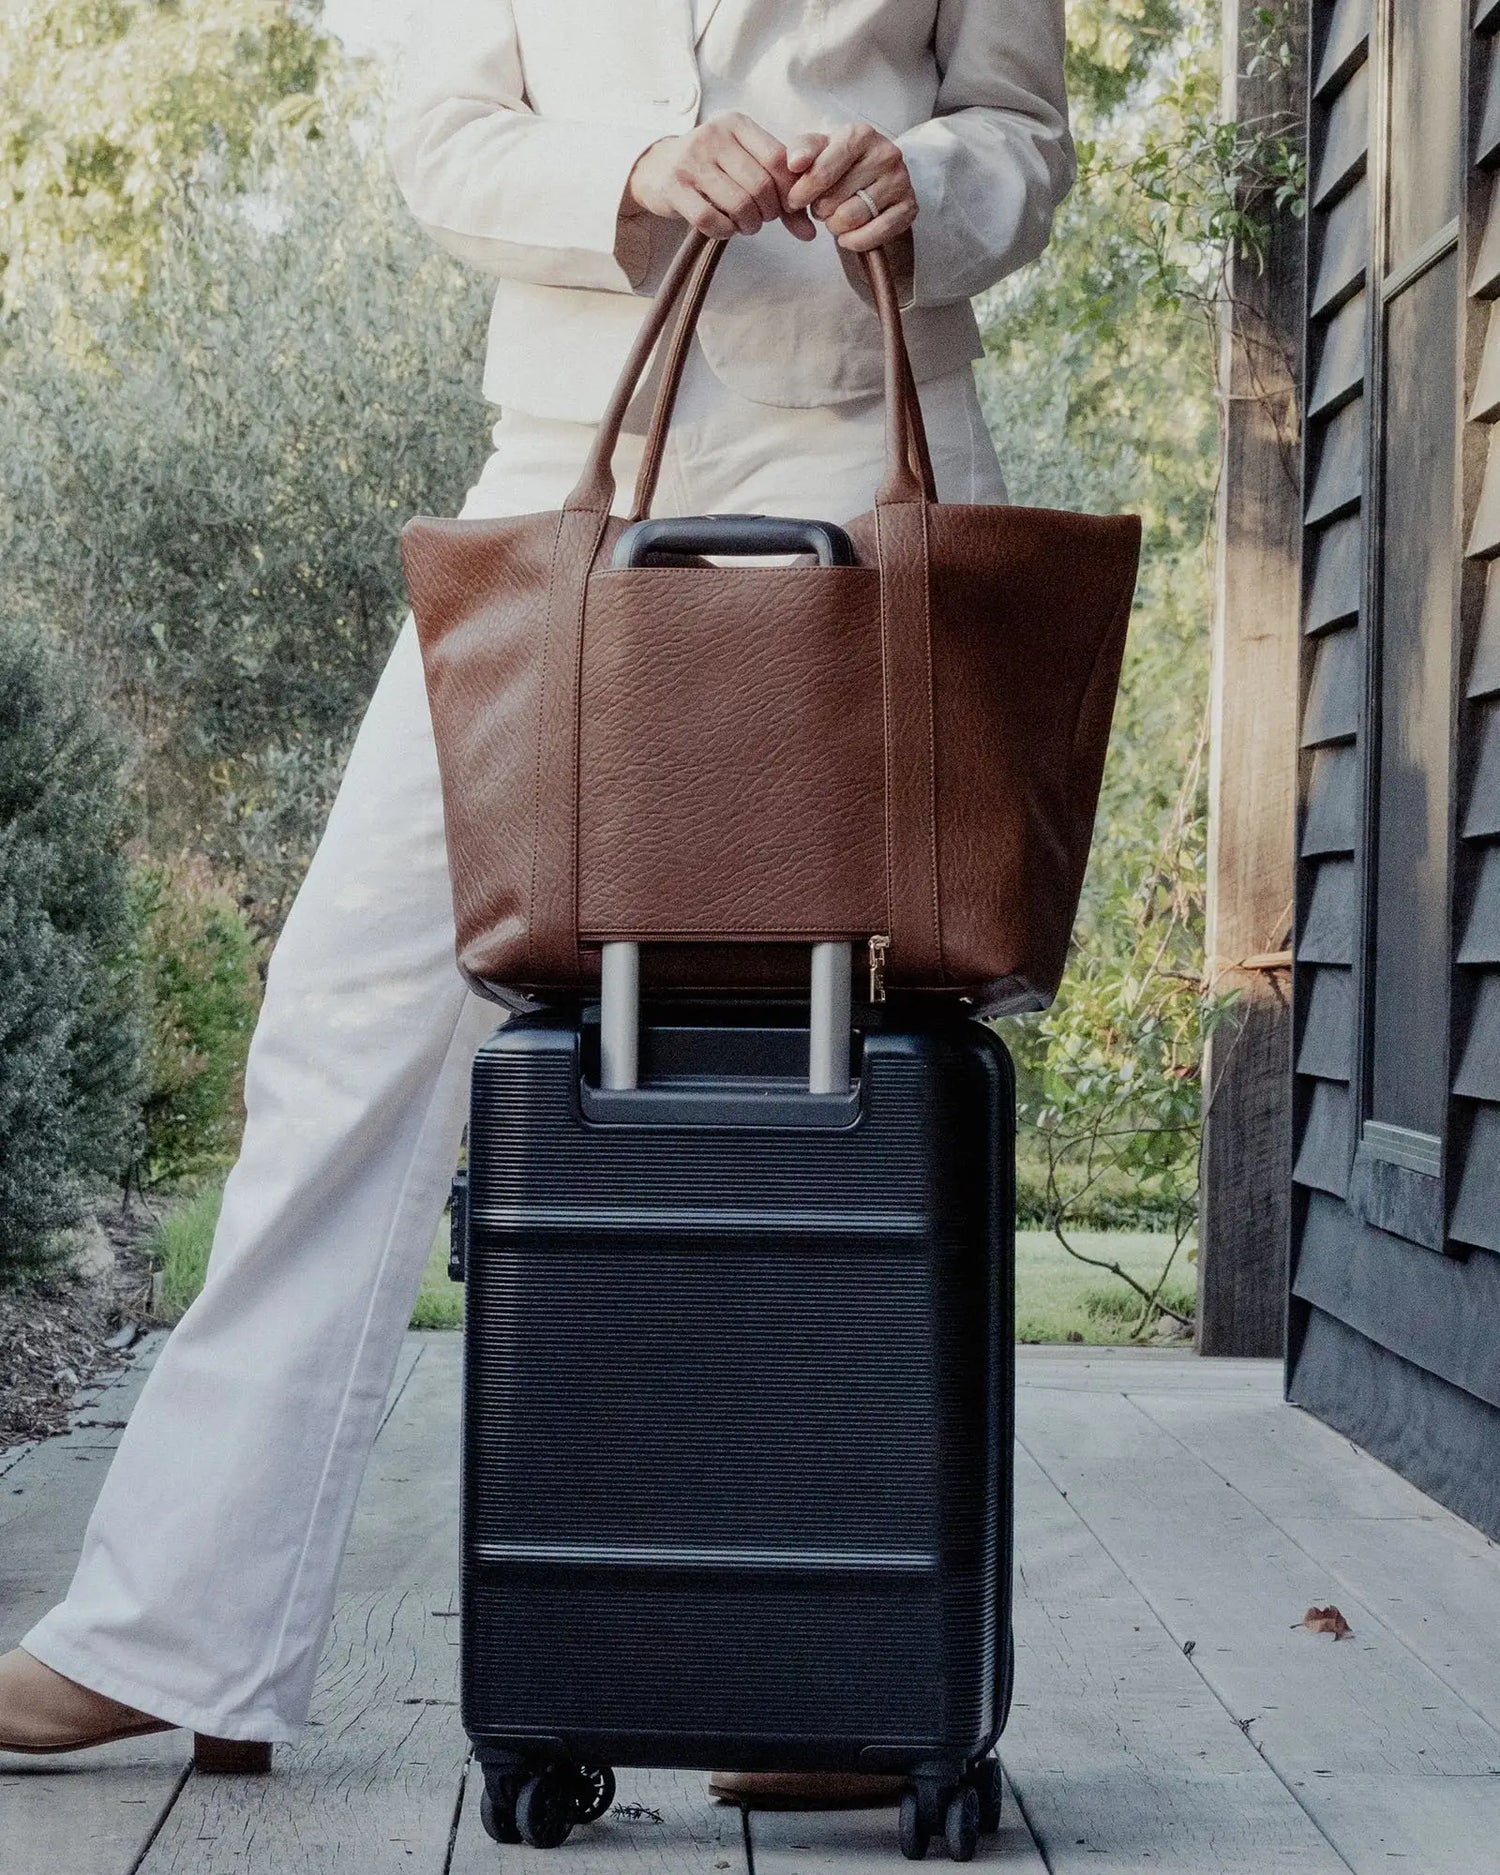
(207, 498)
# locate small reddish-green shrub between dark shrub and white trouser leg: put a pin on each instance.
(202, 989)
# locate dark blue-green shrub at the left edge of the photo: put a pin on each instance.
(70, 1032)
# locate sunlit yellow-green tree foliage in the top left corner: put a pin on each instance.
(112, 108)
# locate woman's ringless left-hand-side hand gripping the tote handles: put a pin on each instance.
(725, 177)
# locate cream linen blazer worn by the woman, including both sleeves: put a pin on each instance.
(517, 125)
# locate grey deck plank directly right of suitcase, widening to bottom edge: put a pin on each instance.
(1122, 1758)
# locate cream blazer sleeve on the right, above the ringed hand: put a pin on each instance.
(997, 157)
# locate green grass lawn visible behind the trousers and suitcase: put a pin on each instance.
(1057, 1297)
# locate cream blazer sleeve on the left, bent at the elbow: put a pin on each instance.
(494, 183)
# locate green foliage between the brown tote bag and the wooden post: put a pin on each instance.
(1102, 389)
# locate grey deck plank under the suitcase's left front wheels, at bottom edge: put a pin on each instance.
(663, 1822)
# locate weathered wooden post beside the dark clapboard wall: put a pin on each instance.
(1253, 766)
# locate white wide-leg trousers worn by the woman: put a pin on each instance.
(207, 1576)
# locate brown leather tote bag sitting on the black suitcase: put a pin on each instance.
(734, 762)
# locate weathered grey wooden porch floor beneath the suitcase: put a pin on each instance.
(1175, 1522)
